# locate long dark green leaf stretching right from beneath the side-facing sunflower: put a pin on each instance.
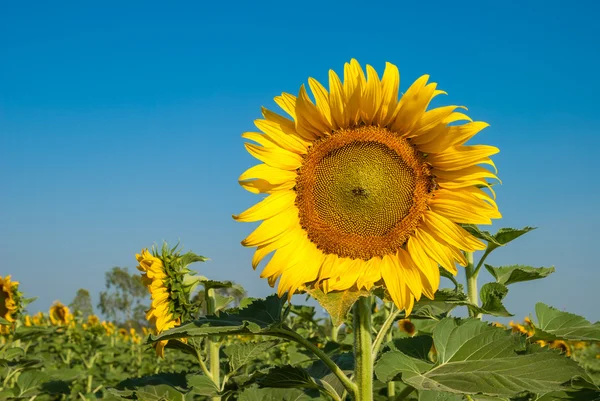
(259, 316)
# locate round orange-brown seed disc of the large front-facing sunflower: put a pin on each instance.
(361, 192)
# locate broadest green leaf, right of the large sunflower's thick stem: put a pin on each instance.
(473, 357)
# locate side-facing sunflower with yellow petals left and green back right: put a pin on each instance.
(163, 275)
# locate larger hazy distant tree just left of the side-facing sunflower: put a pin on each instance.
(122, 302)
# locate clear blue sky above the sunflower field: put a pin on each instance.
(120, 125)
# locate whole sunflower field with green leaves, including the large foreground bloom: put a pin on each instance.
(372, 204)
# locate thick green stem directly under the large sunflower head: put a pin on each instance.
(363, 356)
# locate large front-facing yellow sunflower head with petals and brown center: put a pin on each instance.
(365, 189)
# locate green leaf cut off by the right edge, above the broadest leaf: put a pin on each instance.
(553, 324)
